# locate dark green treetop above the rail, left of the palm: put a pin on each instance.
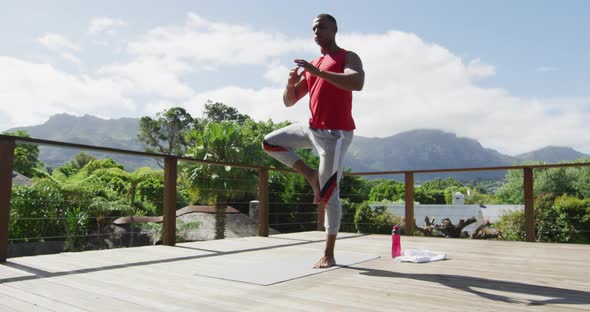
(167, 131)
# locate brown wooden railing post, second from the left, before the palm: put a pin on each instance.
(170, 176)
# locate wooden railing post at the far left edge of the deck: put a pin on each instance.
(6, 160)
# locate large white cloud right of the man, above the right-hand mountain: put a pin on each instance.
(413, 84)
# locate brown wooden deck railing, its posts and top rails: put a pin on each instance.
(8, 144)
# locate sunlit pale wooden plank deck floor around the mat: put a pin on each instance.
(480, 276)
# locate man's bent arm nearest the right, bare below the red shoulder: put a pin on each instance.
(353, 77)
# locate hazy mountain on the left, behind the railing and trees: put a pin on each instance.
(115, 133)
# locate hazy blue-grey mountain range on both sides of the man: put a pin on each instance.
(416, 149)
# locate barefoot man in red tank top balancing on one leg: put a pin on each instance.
(329, 80)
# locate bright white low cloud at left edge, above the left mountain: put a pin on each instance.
(31, 92)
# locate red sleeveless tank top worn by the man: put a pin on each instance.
(331, 107)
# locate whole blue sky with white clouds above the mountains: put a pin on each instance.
(513, 75)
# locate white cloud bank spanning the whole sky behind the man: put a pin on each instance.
(409, 84)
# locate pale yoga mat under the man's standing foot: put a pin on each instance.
(272, 267)
